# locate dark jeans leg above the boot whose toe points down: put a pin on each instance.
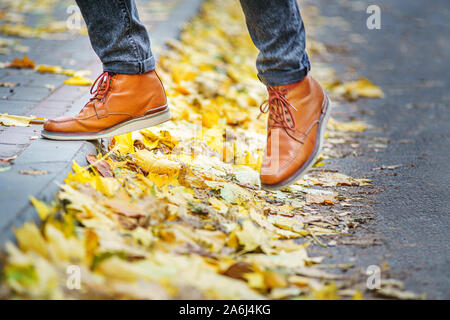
(277, 30)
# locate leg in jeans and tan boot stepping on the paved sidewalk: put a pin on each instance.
(128, 95)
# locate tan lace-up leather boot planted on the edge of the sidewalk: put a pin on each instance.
(121, 103)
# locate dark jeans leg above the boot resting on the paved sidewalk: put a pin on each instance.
(117, 36)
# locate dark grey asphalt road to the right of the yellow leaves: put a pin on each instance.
(409, 57)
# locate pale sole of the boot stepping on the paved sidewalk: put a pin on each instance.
(121, 128)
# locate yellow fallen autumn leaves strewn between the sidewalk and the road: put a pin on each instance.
(177, 211)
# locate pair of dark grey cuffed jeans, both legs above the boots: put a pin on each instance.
(275, 26)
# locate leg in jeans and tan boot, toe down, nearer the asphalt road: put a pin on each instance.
(297, 105)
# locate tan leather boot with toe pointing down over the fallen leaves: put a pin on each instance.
(298, 114)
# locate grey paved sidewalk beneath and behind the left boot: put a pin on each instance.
(41, 163)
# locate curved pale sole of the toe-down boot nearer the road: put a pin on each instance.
(311, 160)
